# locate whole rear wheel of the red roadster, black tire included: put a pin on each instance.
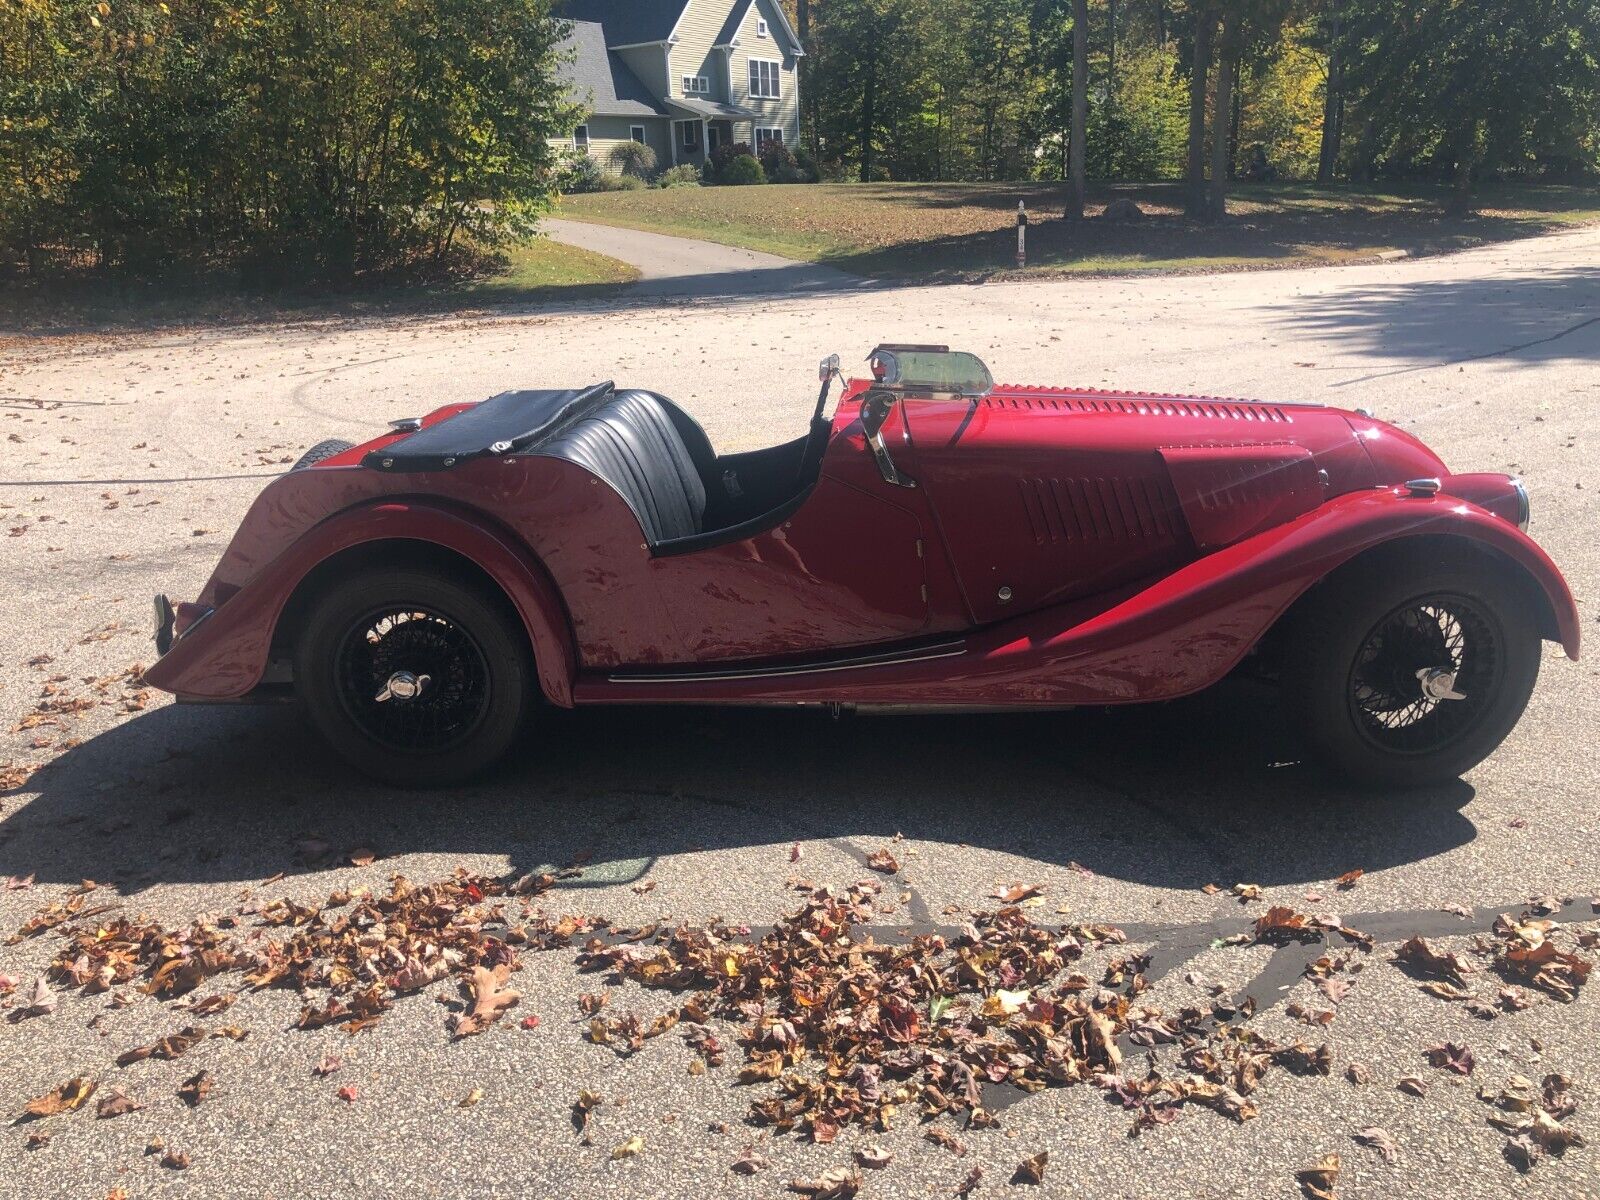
(465, 650)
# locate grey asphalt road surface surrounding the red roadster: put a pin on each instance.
(129, 460)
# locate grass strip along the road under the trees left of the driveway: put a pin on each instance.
(542, 271)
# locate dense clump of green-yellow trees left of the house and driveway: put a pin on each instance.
(311, 140)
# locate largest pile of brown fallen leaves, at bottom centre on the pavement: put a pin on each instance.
(855, 1033)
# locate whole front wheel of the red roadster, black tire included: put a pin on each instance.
(1356, 644)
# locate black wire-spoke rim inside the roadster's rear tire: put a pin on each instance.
(414, 679)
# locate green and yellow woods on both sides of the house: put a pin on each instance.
(329, 140)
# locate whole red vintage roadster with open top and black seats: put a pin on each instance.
(940, 543)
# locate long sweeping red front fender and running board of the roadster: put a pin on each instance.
(1167, 639)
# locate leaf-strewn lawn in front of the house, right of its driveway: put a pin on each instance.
(964, 231)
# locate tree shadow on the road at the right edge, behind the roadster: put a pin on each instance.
(1554, 314)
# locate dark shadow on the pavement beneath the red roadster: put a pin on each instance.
(1180, 796)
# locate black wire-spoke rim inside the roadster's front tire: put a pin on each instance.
(1426, 674)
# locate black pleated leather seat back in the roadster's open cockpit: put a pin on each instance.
(631, 442)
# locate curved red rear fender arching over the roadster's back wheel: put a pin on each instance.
(228, 655)
